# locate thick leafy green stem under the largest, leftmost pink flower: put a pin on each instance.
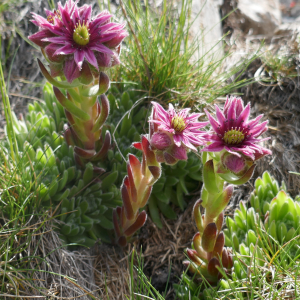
(86, 117)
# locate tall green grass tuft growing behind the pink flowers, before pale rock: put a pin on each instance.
(159, 56)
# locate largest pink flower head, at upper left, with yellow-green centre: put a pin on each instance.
(70, 37)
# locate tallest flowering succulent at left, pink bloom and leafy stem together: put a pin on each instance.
(78, 48)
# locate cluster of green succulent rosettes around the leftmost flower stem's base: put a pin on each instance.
(86, 206)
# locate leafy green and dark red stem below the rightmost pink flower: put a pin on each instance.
(209, 253)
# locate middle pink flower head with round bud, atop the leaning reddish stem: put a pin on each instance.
(173, 133)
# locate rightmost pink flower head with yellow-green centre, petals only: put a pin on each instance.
(233, 132)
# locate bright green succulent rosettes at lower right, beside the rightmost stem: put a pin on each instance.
(266, 233)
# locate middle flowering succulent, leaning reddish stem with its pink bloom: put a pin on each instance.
(171, 134)
